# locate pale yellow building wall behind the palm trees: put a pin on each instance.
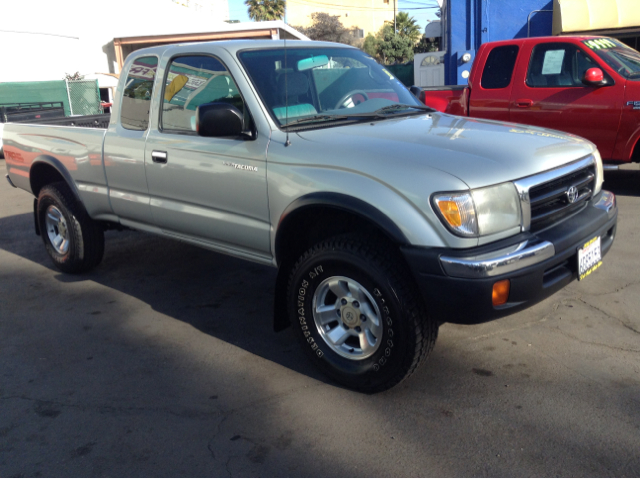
(368, 15)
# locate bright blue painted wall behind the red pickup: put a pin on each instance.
(469, 23)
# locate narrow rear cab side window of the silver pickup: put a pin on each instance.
(136, 99)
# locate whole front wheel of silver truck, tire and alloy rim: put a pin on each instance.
(357, 312)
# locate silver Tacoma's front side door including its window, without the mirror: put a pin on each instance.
(212, 190)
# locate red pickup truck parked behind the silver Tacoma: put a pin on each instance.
(588, 86)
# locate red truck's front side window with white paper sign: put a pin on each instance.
(554, 65)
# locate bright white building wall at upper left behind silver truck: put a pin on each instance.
(66, 36)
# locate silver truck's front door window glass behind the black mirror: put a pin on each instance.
(192, 81)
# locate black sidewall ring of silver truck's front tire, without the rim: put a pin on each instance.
(390, 360)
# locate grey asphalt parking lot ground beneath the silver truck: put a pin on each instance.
(163, 362)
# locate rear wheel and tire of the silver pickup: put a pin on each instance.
(74, 242)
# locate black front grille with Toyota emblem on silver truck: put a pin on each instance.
(550, 200)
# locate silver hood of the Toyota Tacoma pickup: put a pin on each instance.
(478, 152)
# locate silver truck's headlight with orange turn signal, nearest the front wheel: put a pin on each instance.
(479, 212)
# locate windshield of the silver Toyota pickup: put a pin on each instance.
(322, 84)
